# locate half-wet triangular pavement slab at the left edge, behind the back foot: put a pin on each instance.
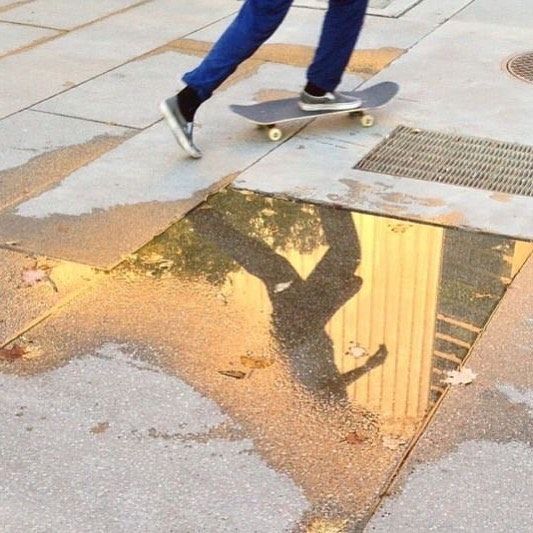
(39, 149)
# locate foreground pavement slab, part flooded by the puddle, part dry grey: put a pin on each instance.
(321, 336)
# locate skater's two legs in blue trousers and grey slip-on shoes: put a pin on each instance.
(256, 22)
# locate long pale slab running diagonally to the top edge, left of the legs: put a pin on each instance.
(37, 74)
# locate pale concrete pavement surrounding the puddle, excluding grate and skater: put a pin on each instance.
(89, 174)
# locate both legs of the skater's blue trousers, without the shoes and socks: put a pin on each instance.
(258, 20)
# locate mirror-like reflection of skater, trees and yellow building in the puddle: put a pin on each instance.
(364, 309)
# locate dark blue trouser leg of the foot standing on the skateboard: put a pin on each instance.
(342, 25)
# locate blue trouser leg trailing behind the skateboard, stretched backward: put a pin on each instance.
(255, 23)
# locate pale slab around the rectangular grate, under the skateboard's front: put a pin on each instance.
(451, 97)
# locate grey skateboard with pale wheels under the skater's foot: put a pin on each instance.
(268, 114)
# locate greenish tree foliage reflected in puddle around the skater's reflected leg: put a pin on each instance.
(281, 223)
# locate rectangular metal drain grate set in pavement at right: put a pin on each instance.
(454, 159)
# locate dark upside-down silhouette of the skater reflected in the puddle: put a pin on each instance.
(302, 310)
